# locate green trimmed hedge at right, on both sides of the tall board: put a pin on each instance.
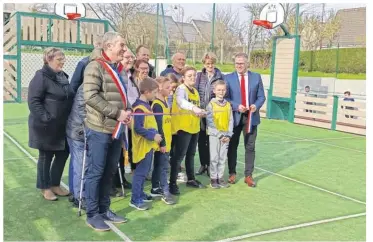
(351, 60)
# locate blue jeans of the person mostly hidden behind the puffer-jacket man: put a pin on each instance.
(76, 161)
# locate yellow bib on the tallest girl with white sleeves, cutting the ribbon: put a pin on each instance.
(185, 120)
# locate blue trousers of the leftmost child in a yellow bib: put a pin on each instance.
(138, 180)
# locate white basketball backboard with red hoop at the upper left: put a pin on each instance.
(70, 10)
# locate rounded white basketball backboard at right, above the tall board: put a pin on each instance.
(273, 13)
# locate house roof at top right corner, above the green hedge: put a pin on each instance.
(353, 27)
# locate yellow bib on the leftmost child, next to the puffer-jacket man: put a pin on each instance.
(142, 146)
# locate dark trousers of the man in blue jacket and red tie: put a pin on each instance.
(249, 141)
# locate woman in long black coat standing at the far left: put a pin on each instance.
(50, 99)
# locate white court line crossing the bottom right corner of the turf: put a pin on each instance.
(293, 227)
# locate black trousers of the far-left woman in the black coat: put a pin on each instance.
(50, 168)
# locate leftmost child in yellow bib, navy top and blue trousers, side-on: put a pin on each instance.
(146, 139)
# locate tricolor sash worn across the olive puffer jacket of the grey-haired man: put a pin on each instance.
(119, 127)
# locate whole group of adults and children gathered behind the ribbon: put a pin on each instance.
(114, 104)
